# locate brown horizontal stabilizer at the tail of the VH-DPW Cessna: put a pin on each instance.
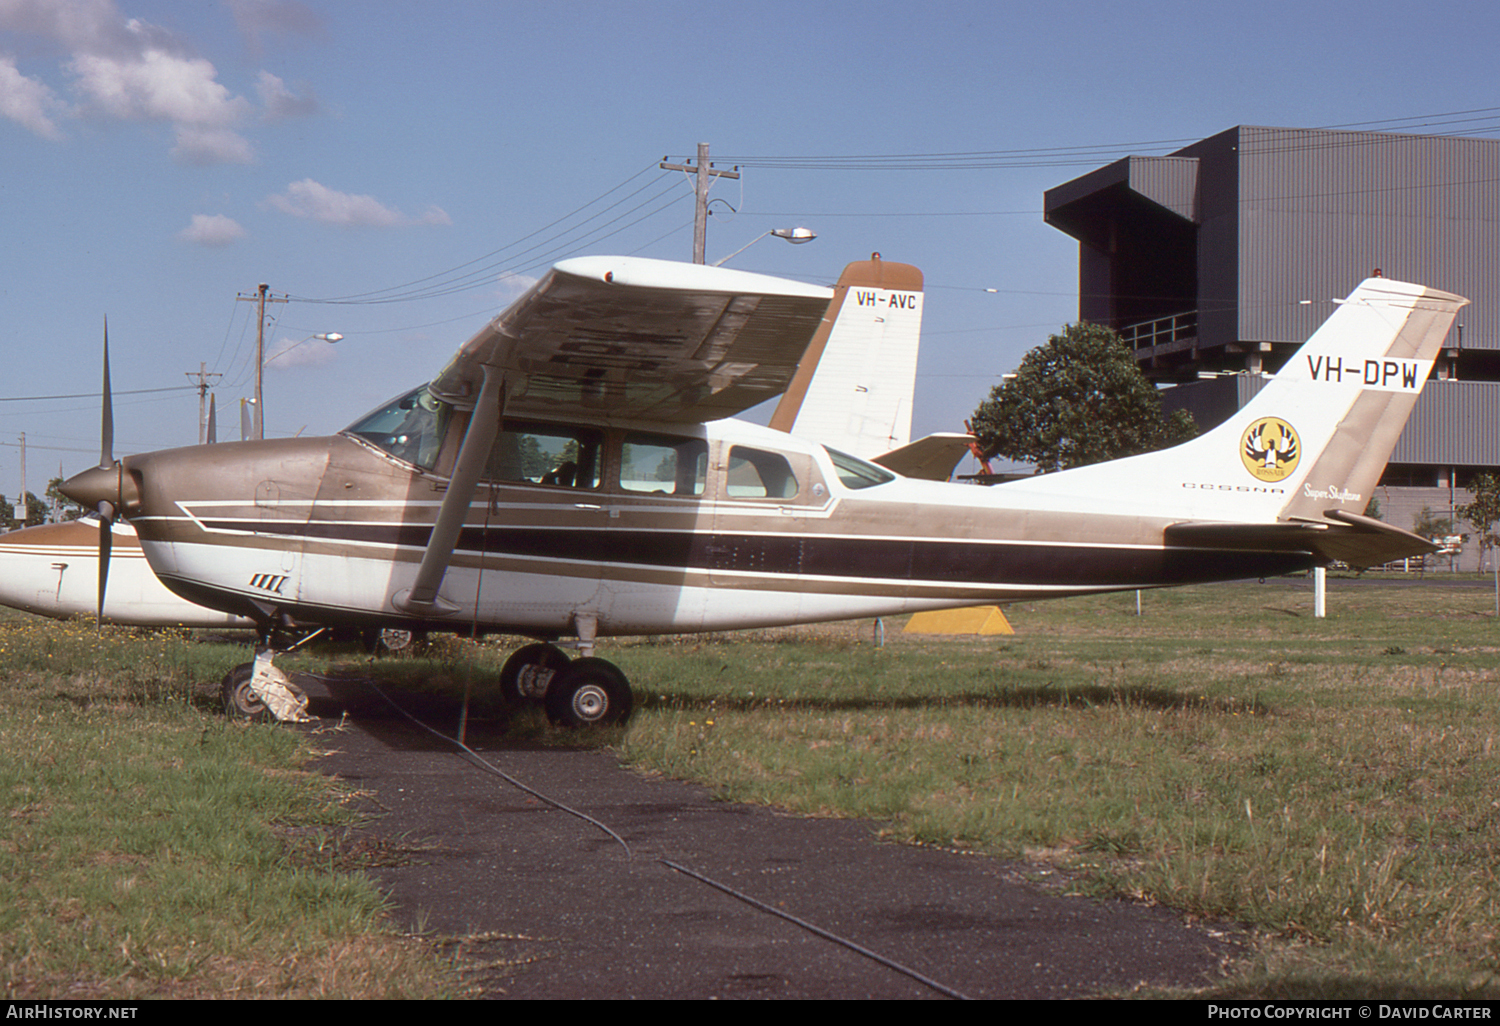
(1354, 539)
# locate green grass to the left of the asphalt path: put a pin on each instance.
(149, 848)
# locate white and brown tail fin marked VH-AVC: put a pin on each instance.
(854, 386)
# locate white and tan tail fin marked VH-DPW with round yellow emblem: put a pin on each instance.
(1310, 448)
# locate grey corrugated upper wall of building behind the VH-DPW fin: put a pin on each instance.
(1321, 211)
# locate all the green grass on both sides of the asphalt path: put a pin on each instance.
(1328, 785)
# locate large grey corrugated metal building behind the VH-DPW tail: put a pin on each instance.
(1207, 260)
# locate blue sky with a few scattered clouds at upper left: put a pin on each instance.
(161, 158)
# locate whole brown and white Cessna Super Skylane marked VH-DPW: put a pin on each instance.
(571, 475)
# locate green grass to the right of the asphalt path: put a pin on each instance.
(1327, 784)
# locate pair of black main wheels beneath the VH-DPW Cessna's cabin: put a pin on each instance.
(575, 692)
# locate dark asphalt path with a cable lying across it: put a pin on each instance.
(671, 895)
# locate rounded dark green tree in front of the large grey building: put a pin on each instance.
(1075, 401)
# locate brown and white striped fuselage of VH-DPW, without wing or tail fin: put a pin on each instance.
(638, 527)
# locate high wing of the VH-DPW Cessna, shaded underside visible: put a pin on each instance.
(641, 340)
